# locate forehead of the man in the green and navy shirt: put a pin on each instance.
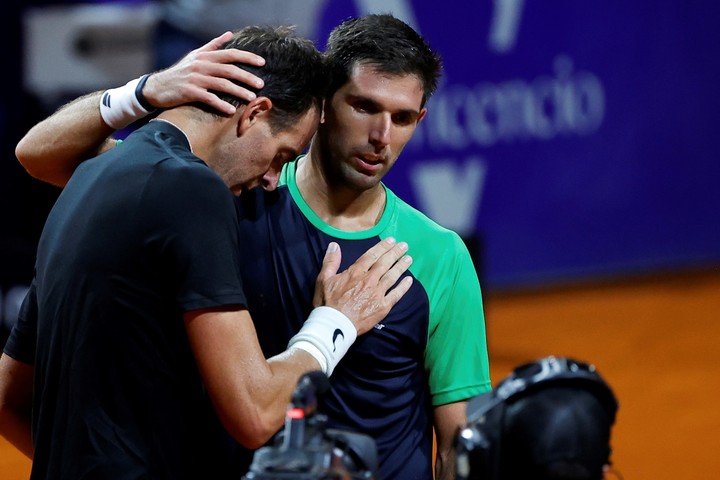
(403, 91)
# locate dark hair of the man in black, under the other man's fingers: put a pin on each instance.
(294, 74)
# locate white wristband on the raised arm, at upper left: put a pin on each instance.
(119, 107)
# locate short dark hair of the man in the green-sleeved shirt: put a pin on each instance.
(387, 44)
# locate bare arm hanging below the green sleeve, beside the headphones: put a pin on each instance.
(447, 420)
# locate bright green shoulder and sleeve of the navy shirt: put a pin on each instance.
(456, 356)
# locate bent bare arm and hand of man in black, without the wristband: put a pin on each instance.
(251, 394)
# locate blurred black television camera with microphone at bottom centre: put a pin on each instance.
(307, 450)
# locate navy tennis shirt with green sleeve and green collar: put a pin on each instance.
(430, 350)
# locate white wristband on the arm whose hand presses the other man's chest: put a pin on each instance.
(327, 335)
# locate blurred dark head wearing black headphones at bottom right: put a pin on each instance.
(548, 419)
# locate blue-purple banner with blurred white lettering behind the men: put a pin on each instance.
(577, 139)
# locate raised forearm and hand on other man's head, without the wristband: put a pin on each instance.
(53, 148)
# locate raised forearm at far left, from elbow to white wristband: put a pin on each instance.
(53, 148)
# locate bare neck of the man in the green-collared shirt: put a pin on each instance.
(336, 204)
